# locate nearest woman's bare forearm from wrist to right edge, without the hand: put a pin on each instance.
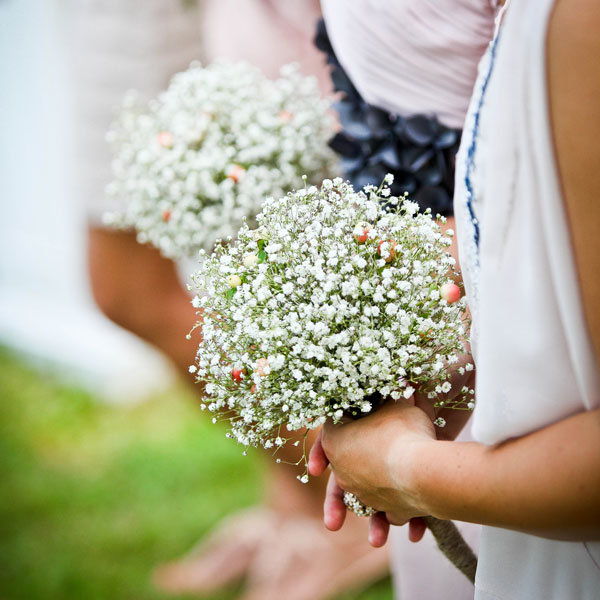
(546, 483)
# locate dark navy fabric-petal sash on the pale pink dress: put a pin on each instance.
(418, 150)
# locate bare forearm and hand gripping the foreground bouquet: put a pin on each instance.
(392, 461)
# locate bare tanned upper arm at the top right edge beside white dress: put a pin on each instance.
(573, 52)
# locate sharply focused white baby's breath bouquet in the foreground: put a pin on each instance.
(331, 302)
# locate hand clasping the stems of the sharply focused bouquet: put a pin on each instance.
(371, 458)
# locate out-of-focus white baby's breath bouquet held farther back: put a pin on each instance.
(192, 163)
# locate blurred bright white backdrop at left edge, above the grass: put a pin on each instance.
(46, 310)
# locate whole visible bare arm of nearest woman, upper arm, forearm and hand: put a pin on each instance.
(391, 459)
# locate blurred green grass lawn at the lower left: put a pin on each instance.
(93, 496)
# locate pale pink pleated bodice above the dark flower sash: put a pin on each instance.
(412, 57)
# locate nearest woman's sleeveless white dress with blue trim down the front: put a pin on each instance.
(535, 363)
